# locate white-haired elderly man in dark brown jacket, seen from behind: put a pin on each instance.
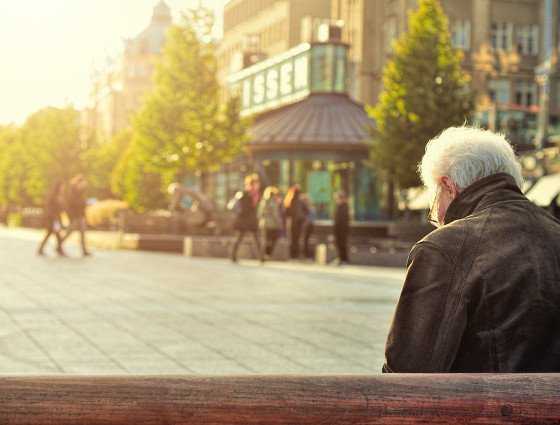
(482, 292)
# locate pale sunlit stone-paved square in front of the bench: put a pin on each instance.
(156, 313)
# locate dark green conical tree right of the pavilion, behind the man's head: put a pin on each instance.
(425, 92)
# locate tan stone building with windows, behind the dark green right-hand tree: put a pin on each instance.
(506, 44)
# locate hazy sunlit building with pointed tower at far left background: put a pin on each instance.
(116, 87)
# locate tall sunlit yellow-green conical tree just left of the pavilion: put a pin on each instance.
(183, 127)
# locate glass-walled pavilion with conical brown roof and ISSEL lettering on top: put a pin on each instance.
(305, 130)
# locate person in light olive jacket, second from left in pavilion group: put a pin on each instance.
(270, 219)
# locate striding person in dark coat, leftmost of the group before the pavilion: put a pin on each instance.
(246, 219)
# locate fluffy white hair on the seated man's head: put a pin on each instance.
(467, 154)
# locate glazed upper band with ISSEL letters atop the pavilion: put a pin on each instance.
(290, 77)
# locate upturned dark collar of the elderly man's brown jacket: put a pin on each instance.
(482, 194)
